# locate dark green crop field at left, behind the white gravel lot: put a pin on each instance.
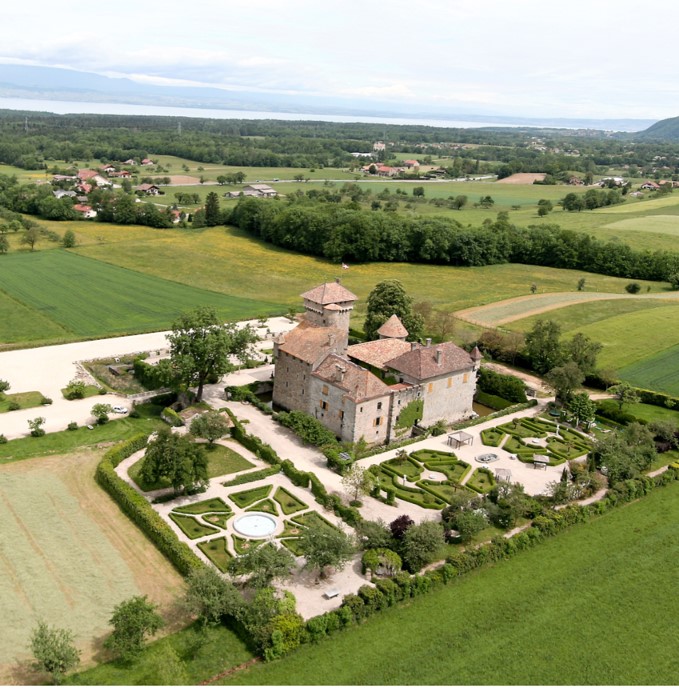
(88, 298)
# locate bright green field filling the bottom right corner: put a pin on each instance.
(592, 606)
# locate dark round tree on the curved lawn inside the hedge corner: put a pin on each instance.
(176, 459)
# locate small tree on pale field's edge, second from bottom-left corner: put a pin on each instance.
(133, 621)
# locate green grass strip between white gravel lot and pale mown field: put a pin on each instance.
(64, 442)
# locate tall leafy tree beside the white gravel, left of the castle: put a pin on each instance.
(200, 347)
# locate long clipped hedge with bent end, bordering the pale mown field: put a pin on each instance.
(140, 511)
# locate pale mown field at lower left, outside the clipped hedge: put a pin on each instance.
(68, 555)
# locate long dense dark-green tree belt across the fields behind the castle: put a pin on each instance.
(346, 233)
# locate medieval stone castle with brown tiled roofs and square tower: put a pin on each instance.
(376, 390)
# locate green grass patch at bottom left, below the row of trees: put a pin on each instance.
(203, 652)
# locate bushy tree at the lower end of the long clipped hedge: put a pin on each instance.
(210, 597)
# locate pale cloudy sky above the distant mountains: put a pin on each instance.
(531, 58)
